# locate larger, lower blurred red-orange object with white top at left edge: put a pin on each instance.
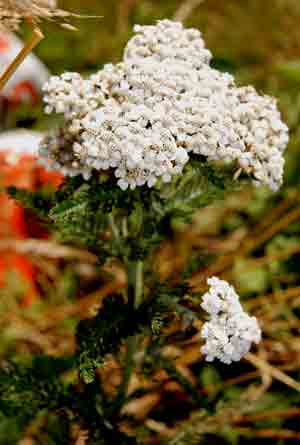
(19, 167)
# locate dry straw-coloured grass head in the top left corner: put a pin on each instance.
(12, 12)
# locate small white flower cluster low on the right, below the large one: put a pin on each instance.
(230, 331)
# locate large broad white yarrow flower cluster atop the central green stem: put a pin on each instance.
(143, 117)
